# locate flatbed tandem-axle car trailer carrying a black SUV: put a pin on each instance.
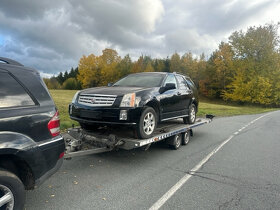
(81, 142)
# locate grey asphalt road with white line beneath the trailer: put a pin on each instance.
(243, 174)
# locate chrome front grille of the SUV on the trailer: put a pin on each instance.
(97, 100)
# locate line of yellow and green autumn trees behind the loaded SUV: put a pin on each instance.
(246, 69)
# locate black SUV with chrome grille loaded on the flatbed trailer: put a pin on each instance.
(141, 100)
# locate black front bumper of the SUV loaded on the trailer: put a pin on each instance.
(104, 115)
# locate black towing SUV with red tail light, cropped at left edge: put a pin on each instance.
(31, 148)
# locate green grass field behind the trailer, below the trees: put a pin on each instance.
(62, 99)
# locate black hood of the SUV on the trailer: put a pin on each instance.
(114, 90)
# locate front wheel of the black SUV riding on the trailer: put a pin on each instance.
(147, 123)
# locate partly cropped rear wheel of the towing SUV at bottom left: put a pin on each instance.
(12, 187)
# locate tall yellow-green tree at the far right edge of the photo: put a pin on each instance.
(257, 66)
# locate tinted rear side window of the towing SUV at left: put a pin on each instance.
(12, 93)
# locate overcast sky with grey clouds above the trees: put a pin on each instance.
(52, 35)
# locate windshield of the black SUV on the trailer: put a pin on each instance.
(141, 80)
